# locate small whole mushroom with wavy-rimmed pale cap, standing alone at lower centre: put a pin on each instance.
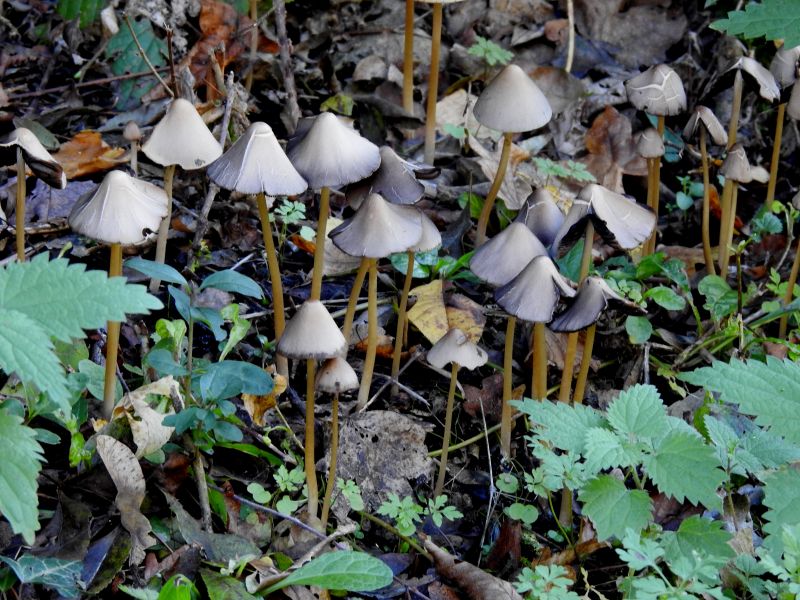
(455, 348)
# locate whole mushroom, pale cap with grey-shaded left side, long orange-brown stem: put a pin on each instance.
(256, 164)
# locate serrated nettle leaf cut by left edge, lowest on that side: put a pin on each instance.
(19, 470)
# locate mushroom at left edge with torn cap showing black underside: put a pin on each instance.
(23, 146)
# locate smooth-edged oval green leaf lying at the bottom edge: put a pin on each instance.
(345, 570)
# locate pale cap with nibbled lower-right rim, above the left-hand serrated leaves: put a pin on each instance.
(120, 210)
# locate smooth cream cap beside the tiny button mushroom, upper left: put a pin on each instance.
(182, 138)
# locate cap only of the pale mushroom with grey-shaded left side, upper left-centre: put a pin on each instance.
(256, 163)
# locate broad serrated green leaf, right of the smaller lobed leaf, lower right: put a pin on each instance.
(683, 466)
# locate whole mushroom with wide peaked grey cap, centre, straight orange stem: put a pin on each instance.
(377, 230)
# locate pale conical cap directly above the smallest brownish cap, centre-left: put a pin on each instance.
(311, 333)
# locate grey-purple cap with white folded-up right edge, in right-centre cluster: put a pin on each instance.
(533, 294)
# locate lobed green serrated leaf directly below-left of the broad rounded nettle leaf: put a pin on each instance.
(613, 508)
